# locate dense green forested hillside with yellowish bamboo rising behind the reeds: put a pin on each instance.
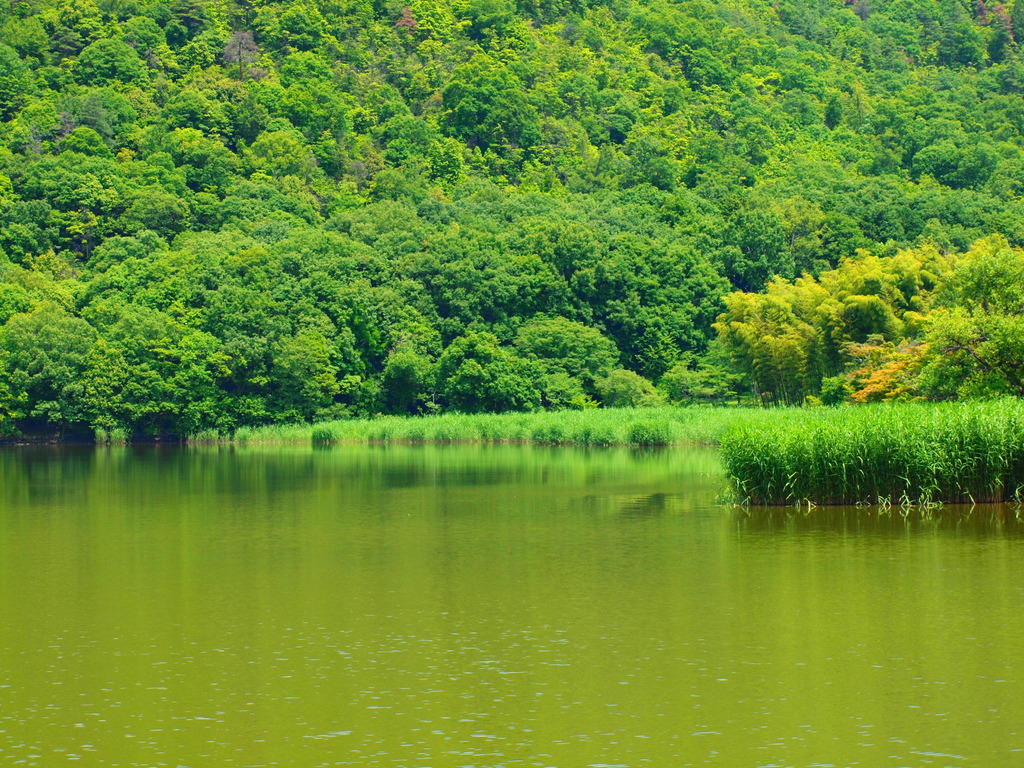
(219, 214)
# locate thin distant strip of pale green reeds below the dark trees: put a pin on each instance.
(660, 426)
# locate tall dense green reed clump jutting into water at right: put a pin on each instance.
(891, 455)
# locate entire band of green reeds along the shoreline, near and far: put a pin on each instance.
(889, 455)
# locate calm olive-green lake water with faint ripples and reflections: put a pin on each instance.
(428, 608)
